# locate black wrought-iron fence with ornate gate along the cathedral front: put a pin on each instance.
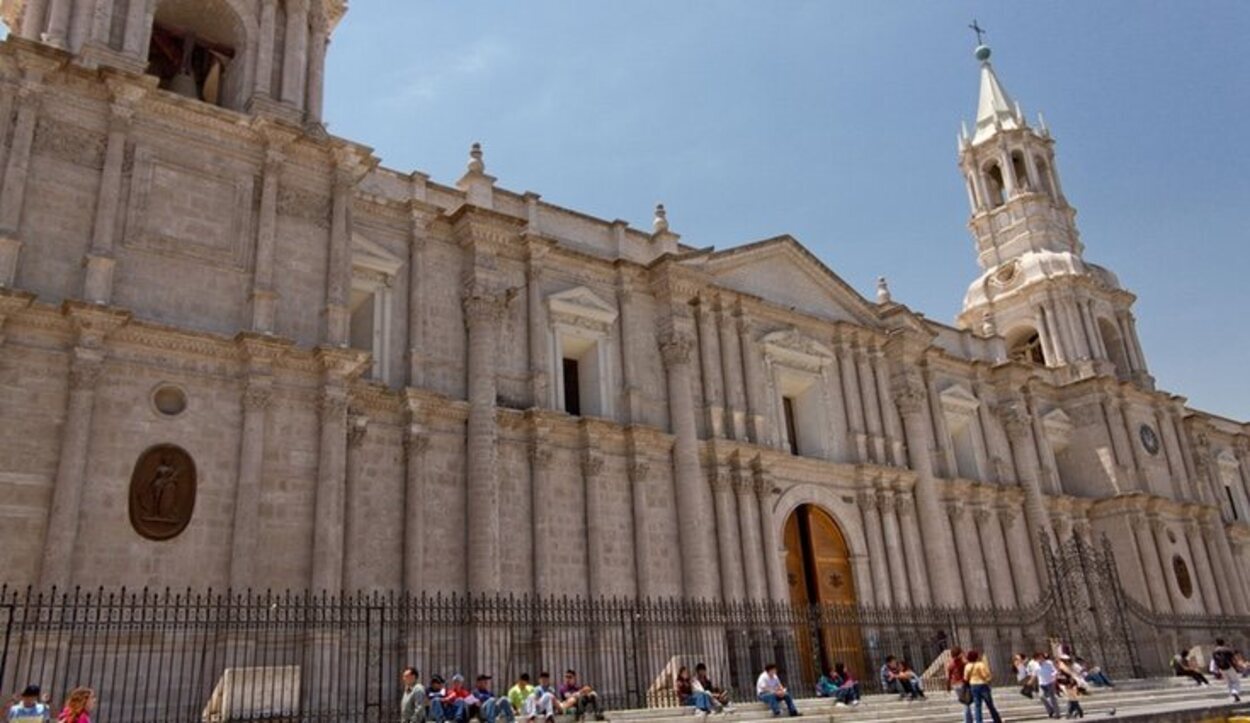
(217, 657)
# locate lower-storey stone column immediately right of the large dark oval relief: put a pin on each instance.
(257, 396)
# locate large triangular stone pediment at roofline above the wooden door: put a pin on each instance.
(781, 271)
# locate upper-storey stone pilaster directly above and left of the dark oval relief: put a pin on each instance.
(98, 280)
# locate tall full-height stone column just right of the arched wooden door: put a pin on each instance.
(909, 395)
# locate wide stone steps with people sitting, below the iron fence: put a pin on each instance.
(1171, 700)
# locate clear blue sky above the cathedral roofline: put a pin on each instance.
(836, 123)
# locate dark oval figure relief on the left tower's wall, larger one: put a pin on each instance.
(163, 492)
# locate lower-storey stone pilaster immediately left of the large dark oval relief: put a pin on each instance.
(92, 327)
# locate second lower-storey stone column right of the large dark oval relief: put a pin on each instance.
(329, 513)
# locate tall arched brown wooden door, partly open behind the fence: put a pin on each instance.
(819, 571)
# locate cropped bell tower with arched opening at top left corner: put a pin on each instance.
(248, 56)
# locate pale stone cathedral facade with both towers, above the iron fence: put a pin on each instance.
(239, 352)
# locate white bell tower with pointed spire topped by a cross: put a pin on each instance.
(1054, 308)
